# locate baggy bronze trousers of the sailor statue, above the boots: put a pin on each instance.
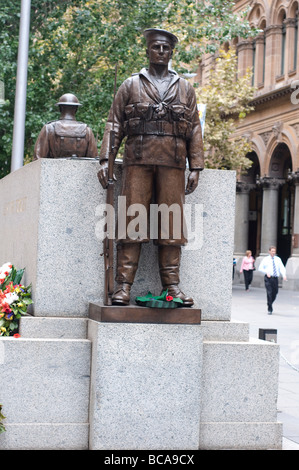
(158, 193)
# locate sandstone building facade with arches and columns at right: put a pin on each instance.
(267, 198)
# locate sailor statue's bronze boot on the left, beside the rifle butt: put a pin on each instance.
(127, 264)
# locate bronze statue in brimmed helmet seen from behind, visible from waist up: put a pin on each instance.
(66, 137)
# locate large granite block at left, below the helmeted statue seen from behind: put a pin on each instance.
(48, 209)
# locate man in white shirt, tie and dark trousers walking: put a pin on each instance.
(273, 267)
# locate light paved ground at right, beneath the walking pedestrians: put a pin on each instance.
(251, 307)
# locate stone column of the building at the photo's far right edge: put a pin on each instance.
(292, 265)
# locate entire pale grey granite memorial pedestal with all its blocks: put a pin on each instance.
(147, 385)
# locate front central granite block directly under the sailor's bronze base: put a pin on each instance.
(146, 387)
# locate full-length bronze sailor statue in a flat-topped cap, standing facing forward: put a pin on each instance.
(156, 111)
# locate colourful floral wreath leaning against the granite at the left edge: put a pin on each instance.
(14, 299)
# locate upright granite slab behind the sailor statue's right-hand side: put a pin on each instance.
(211, 266)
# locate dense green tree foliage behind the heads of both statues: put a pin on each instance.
(74, 47)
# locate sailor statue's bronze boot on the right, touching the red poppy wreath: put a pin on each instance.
(169, 265)
